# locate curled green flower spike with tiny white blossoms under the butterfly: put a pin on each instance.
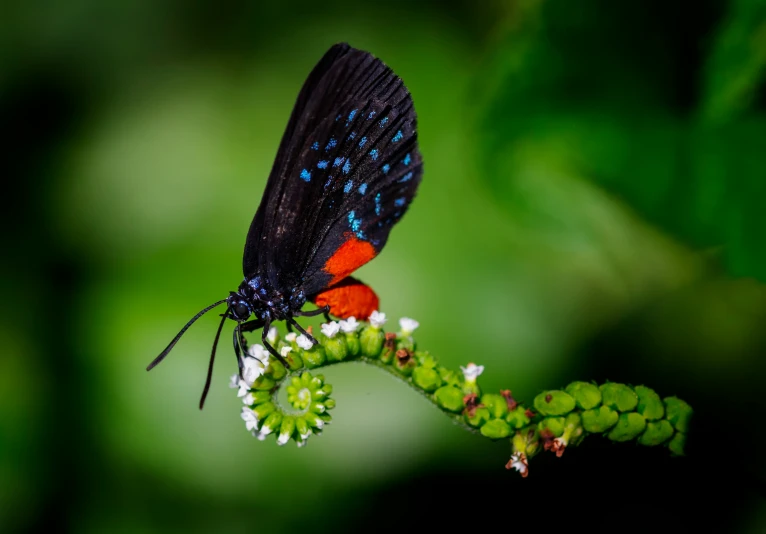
(560, 419)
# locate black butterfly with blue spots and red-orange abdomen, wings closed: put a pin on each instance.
(346, 171)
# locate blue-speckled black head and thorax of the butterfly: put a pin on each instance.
(255, 297)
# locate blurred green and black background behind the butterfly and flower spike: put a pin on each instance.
(591, 209)
